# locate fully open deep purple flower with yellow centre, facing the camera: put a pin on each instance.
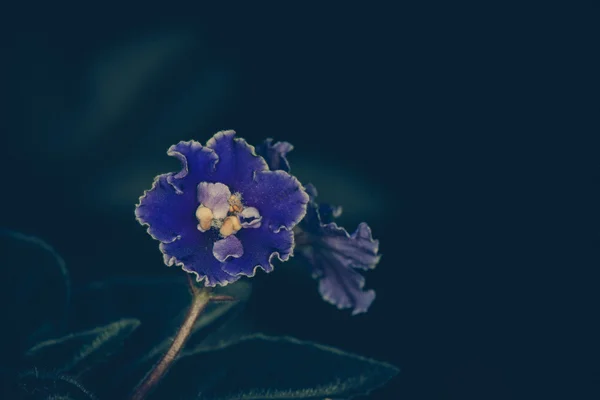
(225, 213)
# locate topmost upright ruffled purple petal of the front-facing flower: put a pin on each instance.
(237, 163)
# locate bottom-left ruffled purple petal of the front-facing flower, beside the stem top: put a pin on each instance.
(193, 251)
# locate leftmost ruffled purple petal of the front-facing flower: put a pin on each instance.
(165, 211)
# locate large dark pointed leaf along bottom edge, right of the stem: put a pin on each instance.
(262, 367)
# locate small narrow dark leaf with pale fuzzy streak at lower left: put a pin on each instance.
(82, 350)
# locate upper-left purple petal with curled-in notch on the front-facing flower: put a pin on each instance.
(198, 165)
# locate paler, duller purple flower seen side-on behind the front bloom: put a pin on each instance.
(336, 257)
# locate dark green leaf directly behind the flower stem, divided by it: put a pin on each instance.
(160, 304)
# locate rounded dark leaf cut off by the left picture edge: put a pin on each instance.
(34, 293)
